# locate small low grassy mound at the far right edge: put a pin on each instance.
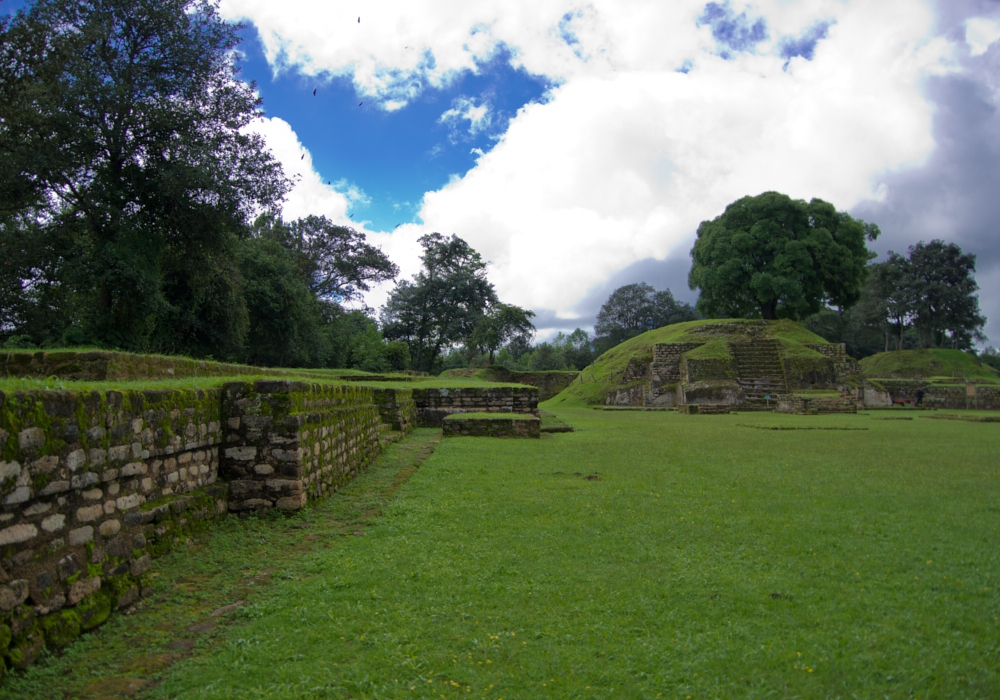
(936, 364)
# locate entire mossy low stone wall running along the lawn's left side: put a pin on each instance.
(95, 485)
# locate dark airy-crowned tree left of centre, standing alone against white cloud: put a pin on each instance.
(443, 303)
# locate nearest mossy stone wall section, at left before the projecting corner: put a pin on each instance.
(93, 485)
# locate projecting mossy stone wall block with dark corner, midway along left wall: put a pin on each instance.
(287, 441)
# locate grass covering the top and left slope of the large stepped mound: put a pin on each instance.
(605, 374)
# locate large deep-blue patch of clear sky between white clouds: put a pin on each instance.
(394, 157)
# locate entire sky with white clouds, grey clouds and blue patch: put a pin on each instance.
(578, 144)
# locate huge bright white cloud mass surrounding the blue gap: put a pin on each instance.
(628, 154)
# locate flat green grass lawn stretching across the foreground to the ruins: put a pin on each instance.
(643, 555)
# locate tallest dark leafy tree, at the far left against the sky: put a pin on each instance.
(123, 143)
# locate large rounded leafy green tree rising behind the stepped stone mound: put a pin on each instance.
(772, 256)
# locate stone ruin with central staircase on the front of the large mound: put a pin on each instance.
(743, 368)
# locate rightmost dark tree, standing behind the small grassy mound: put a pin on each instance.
(942, 287)
